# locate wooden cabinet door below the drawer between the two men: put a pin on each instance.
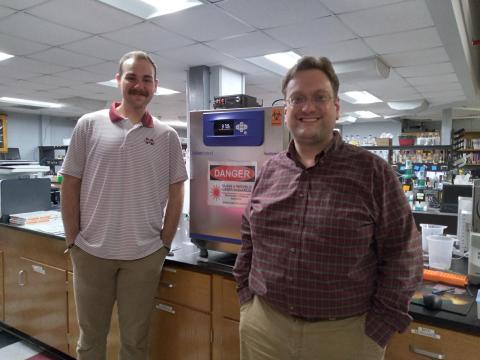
(179, 333)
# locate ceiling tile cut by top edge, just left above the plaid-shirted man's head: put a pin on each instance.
(271, 13)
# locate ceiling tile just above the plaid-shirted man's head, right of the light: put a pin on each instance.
(338, 51)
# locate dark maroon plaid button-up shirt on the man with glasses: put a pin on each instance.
(334, 240)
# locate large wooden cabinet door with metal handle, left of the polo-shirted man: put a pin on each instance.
(36, 304)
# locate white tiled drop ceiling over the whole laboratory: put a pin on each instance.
(63, 48)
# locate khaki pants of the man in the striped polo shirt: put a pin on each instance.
(98, 283)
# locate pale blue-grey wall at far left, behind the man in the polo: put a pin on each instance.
(27, 132)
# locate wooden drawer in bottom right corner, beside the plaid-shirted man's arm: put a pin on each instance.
(424, 341)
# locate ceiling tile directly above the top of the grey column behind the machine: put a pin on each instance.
(195, 55)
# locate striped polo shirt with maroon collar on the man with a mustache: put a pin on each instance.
(126, 171)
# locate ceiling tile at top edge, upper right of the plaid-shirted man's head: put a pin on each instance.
(398, 17)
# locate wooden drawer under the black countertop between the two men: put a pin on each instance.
(185, 287)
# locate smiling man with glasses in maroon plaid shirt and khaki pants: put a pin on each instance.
(330, 252)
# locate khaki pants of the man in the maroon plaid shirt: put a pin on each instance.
(266, 334)
